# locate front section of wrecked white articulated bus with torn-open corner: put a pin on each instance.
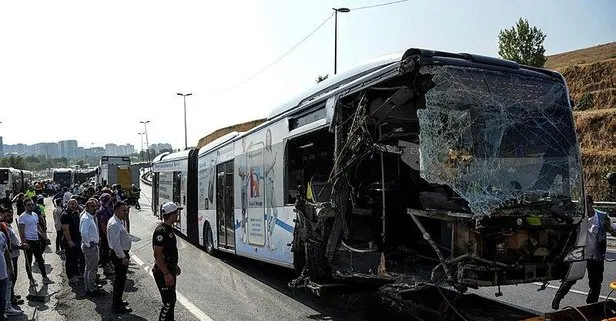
(419, 168)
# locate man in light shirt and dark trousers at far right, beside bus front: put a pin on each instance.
(599, 224)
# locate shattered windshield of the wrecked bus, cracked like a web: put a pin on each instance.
(498, 138)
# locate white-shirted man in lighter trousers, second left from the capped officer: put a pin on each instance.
(89, 247)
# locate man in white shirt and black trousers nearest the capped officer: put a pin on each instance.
(120, 243)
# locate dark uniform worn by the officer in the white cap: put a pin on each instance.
(164, 236)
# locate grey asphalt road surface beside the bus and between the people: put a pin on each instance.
(226, 287)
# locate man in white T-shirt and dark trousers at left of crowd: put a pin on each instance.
(29, 231)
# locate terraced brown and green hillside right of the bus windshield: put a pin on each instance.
(591, 77)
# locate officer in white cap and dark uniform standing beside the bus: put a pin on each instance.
(166, 268)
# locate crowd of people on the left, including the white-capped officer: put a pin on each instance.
(91, 232)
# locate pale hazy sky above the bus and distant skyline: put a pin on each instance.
(92, 70)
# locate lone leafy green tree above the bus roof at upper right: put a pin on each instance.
(522, 44)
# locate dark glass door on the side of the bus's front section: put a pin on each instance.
(225, 205)
